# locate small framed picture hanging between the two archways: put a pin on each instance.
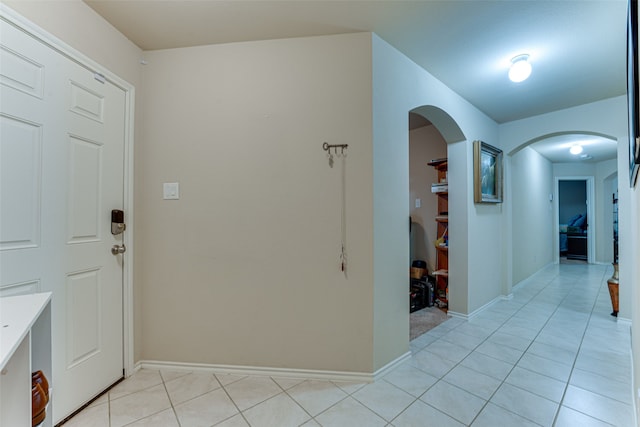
(487, 173)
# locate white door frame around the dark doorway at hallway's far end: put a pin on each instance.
(591, 216)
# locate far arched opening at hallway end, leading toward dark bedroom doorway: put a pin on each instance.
(542, 222)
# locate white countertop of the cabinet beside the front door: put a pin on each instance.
(17, 316)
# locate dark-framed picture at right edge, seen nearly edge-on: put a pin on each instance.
(632, 91)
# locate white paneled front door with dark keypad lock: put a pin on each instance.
(62, 132)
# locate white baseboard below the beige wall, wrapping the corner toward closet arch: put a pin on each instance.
(362, 377)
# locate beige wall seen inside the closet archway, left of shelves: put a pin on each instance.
(425, 144)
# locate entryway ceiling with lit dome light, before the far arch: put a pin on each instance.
(577, 48)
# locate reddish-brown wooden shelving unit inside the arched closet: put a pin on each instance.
(441, 273)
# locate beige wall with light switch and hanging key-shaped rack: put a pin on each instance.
(244, 268)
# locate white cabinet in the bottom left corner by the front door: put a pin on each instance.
(25, 347)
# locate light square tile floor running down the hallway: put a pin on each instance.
(550, 356)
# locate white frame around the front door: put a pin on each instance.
(10, 16)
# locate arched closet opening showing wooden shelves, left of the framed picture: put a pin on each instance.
(430, 130)
